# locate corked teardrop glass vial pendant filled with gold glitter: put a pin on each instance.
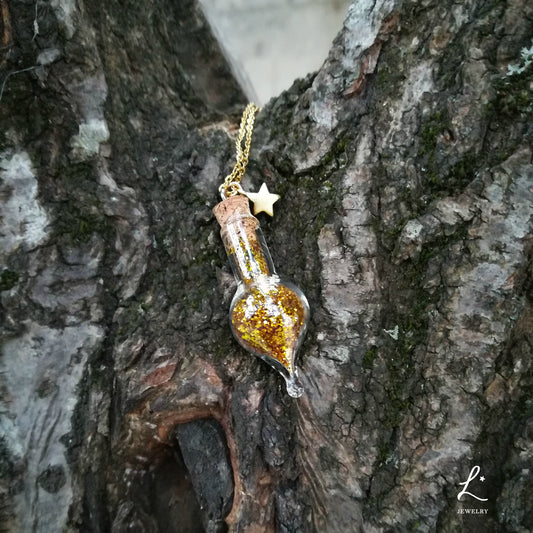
(268, 316)
